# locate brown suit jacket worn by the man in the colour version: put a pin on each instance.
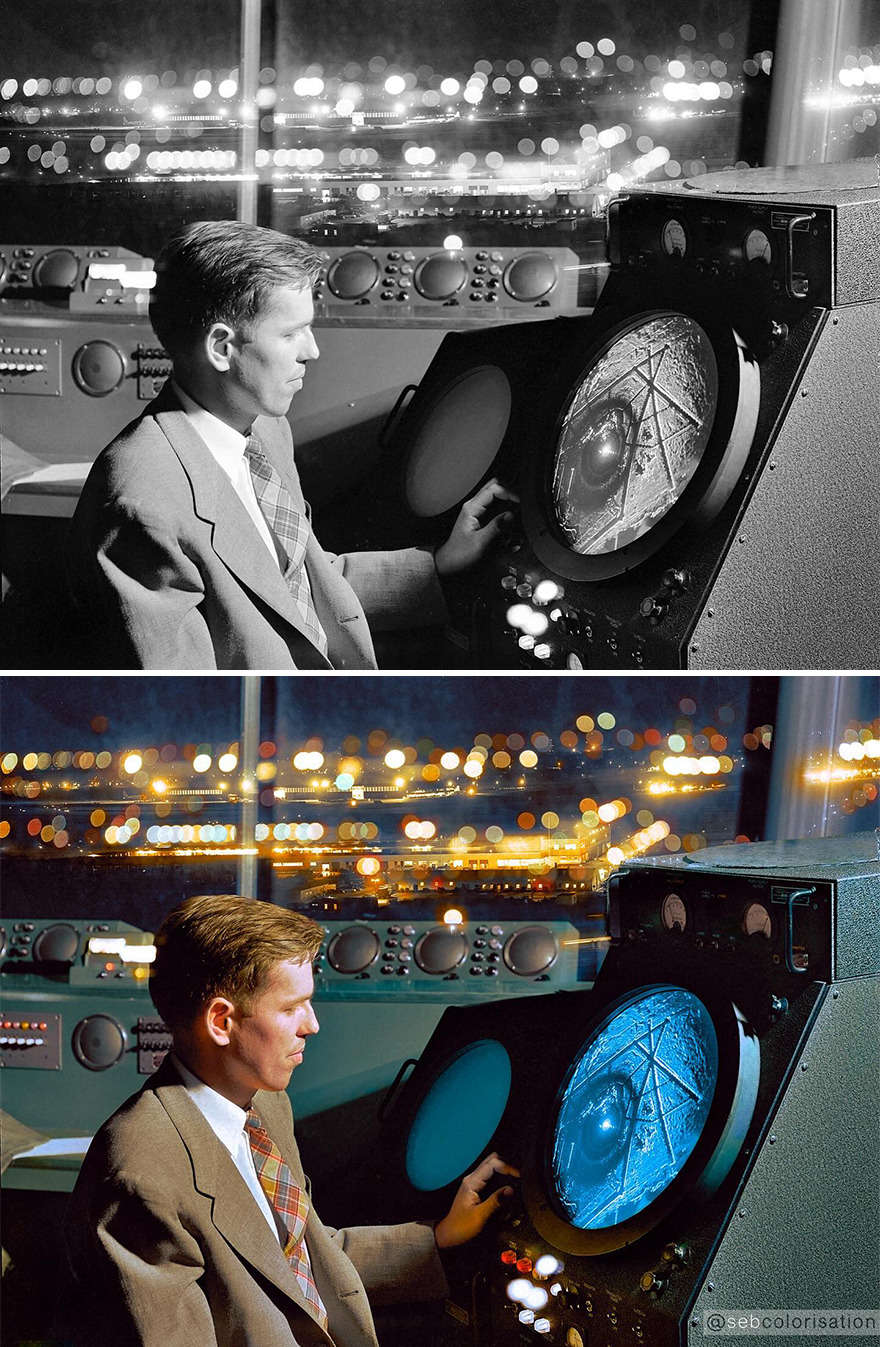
(169, 1248)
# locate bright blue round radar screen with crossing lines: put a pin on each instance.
(634, 1108)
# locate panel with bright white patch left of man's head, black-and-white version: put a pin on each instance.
(91, 278)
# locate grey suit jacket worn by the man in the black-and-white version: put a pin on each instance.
(168, 570)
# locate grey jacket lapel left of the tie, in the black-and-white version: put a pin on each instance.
(234, 537)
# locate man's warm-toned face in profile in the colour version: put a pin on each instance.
(268, 1045)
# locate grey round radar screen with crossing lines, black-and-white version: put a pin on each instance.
(634, 434)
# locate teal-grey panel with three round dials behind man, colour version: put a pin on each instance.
(489, 958)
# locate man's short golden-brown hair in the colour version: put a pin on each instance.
(224, 945)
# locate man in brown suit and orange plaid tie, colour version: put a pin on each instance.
(191, 1224)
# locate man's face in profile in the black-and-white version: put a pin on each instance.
(269, 359)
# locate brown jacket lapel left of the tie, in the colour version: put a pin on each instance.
(235, 1213)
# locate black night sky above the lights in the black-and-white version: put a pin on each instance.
(53, 37)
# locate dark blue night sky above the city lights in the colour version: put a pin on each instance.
(57, 713)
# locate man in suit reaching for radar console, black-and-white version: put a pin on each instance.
(192, 546)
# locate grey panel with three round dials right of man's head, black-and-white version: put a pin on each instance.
(462, 284)
